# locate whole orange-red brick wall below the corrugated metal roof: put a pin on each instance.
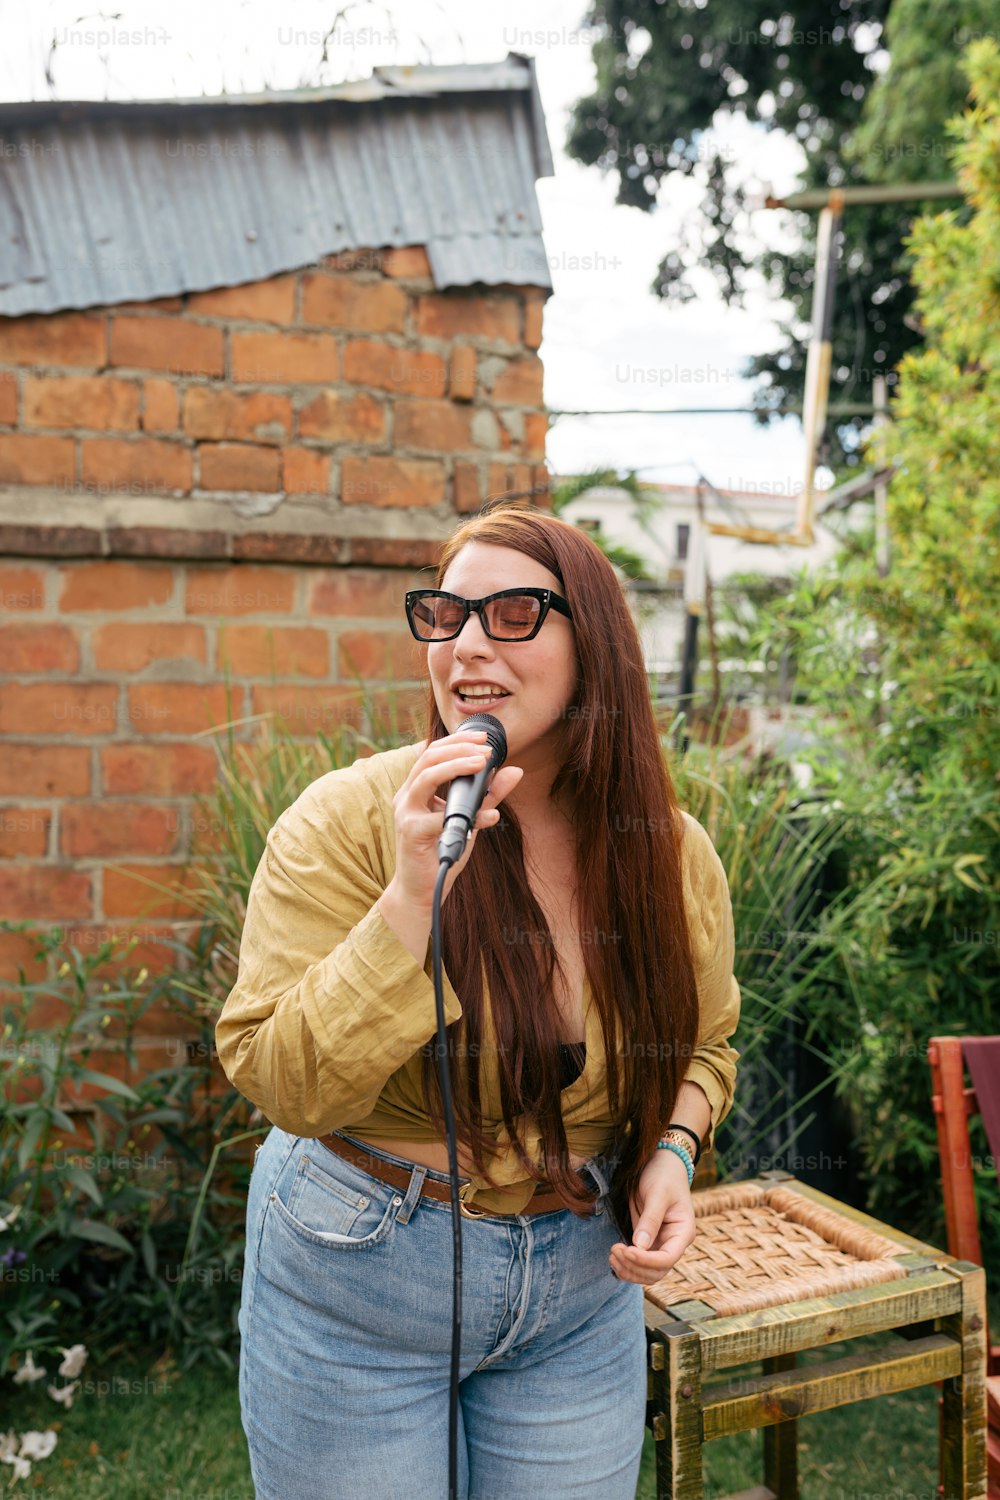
(356, 383)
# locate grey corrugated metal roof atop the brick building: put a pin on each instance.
(109, 202)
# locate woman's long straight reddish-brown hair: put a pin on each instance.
(629, 857)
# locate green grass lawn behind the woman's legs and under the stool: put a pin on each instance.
(143, 1430)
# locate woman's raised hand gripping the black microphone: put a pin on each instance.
(419, 817)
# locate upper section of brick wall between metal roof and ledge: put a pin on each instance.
(355, 380)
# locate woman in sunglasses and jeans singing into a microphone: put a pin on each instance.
(588, 950)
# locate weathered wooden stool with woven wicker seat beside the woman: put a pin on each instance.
(777, 1268)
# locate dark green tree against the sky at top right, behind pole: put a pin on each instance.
(665, 71)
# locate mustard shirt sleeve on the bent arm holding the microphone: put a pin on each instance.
(329, 1003)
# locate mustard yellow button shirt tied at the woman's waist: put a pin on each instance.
(329, 1015)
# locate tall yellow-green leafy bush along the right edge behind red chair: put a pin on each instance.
(905, 674)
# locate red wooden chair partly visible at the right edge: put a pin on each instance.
(954, 1103)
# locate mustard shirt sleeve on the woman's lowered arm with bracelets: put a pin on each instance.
(714, 950)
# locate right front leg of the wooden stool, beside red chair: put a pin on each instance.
(965, 1397)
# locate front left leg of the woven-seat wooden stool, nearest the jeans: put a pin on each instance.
(677, 1418)
